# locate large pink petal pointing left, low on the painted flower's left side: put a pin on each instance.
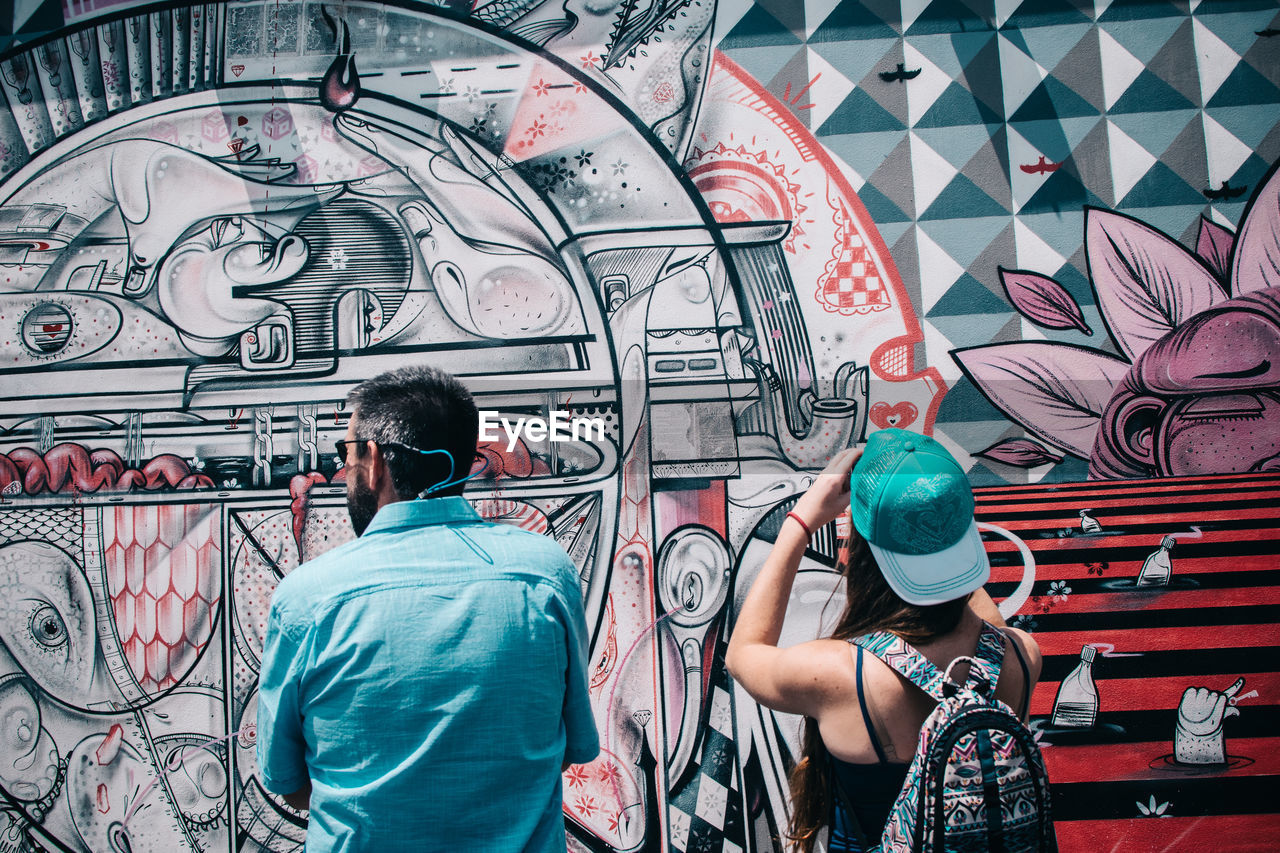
(1055, 391)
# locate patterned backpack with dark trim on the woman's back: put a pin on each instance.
(979, 781)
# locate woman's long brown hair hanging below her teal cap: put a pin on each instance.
(871, 606)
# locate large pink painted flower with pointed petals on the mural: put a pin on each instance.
(1195, 389)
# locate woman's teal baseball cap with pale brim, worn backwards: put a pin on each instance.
(913, 504)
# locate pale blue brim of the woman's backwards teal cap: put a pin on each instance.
(936, 578)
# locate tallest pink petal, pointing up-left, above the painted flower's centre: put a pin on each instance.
(1148, 284)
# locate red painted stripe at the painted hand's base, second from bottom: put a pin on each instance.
(1133, 761)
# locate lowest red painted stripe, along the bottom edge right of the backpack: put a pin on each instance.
(1217, 833)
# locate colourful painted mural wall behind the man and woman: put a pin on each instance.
(744, 235)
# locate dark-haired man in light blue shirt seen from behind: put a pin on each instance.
(424, 687)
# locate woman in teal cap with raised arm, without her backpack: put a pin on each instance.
(915, 568)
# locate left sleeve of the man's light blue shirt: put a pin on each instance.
(281, 743)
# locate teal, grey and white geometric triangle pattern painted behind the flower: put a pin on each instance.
(979, 133)
